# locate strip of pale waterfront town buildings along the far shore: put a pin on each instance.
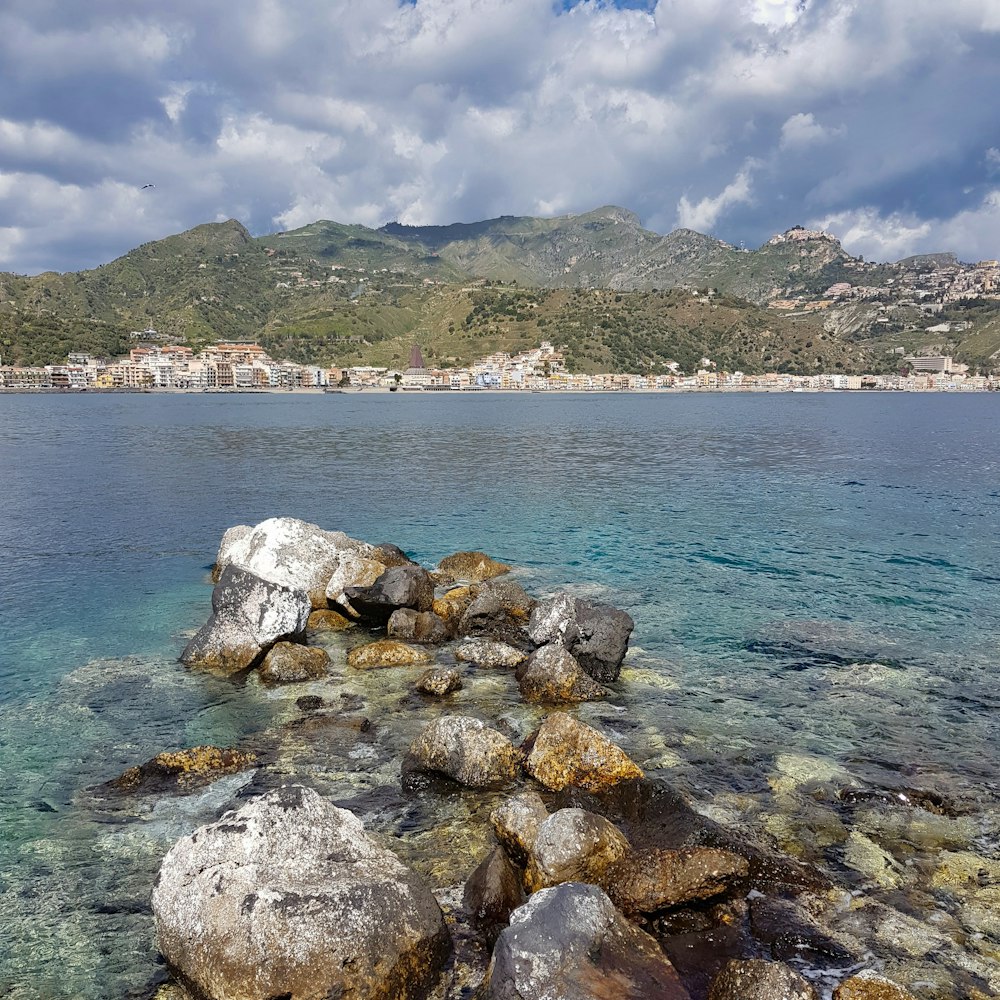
(246, 367)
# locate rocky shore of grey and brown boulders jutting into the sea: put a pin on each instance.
(396, 838)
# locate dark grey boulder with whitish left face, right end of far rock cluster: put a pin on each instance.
(596, 634)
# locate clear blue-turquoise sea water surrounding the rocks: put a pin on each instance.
(814, 578)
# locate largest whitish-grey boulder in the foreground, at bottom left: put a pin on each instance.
(290, 897)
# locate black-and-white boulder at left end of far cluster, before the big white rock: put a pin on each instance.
(249, 615)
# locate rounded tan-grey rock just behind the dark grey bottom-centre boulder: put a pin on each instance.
(573, 845)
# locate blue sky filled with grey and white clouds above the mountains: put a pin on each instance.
(875, 120)
